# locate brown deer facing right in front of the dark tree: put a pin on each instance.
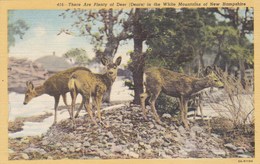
(176, 85)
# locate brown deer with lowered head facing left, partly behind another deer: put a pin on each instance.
(55, 86)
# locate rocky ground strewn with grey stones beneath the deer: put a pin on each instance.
(129, 136)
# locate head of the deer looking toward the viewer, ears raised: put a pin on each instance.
(111, 68)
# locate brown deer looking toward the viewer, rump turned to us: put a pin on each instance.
(92, 85)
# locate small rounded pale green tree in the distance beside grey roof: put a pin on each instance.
(79, 55)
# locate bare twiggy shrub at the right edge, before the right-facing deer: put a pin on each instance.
(234, 102)
